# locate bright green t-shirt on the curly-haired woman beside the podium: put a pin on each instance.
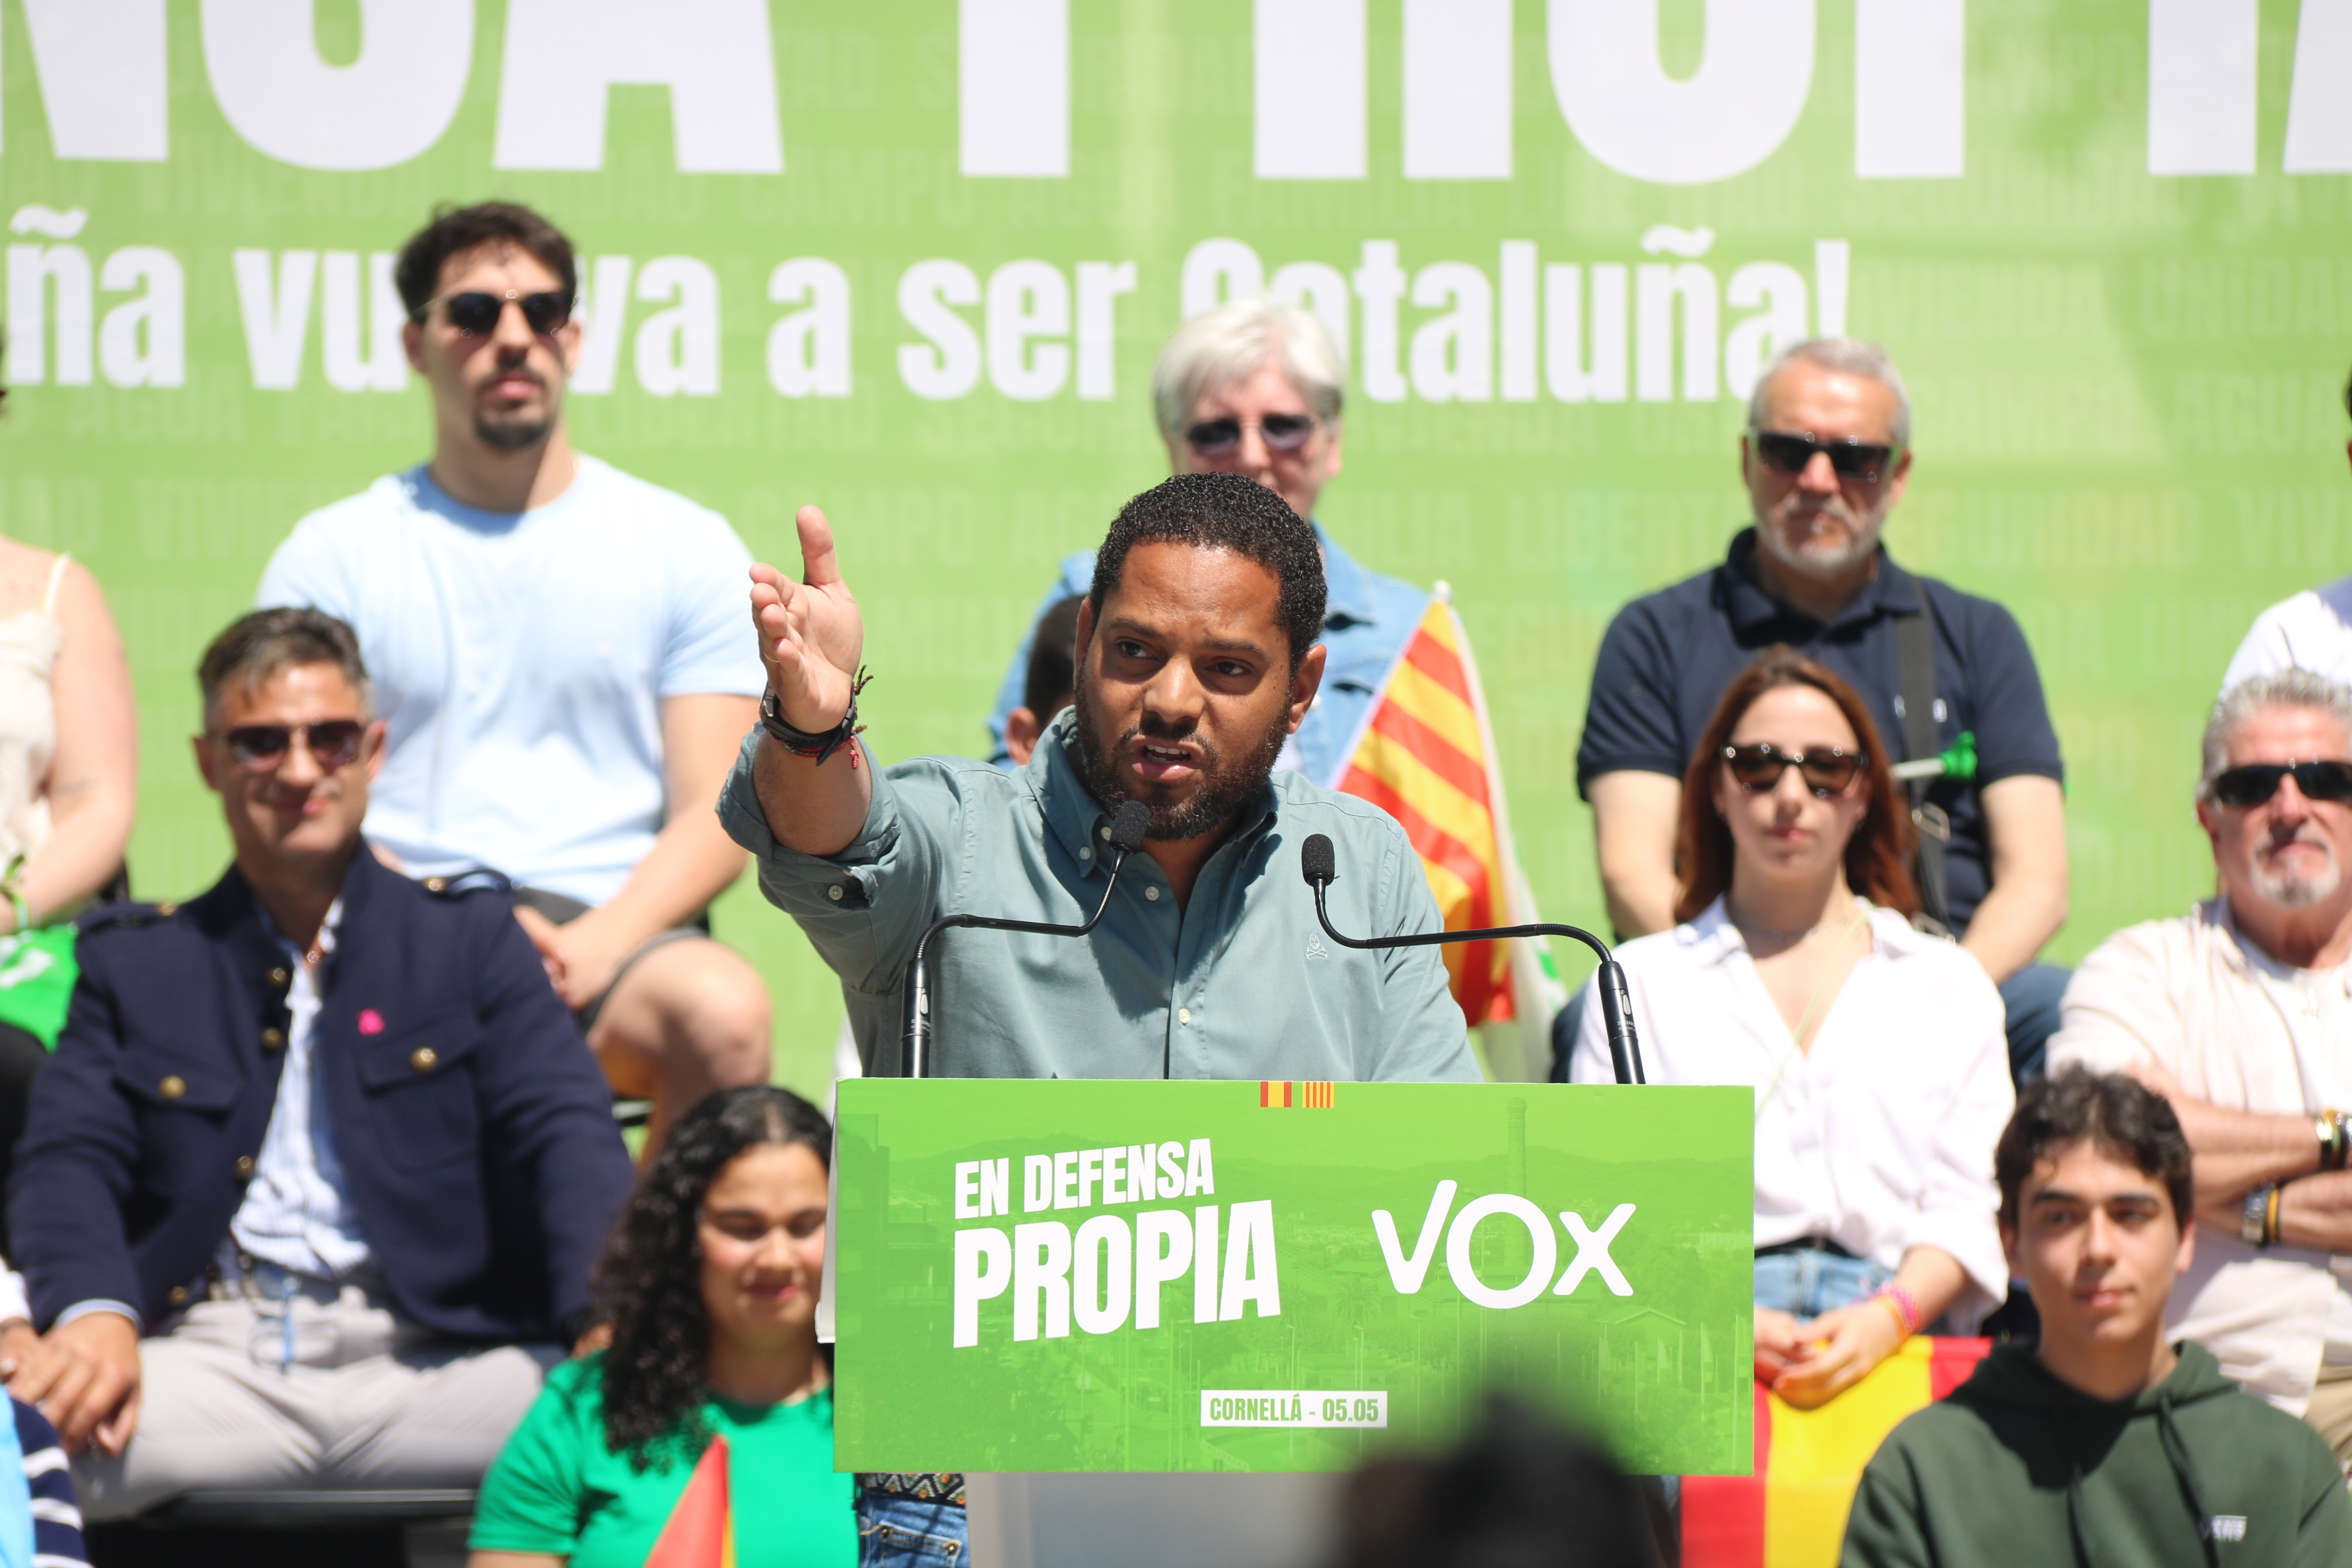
(559, 1489)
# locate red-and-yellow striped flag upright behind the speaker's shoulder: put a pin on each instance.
(1426, 756)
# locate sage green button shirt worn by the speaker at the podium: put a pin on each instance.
(1236, 986)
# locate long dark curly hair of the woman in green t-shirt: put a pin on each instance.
(650, 1280)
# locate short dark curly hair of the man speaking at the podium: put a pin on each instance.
(1222, 511)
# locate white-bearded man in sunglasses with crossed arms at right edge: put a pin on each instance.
(2243, 1017)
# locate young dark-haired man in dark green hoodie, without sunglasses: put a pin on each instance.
(2102, 1447)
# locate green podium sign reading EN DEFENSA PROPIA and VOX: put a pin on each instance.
(1161, 1278)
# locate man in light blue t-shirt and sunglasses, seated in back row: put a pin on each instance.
(561, 662)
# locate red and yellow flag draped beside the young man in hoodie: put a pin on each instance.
(1793, 1510)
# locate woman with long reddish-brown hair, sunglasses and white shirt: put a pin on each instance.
(1876, 1052)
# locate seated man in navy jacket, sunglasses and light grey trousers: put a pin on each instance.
(326, 1137)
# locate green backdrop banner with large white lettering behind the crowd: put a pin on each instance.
(911, 260)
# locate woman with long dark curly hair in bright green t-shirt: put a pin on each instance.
(707, 1426)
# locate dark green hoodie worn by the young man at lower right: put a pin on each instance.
(2019, 1470)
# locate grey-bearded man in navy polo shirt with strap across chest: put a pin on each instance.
(1826, 457)
